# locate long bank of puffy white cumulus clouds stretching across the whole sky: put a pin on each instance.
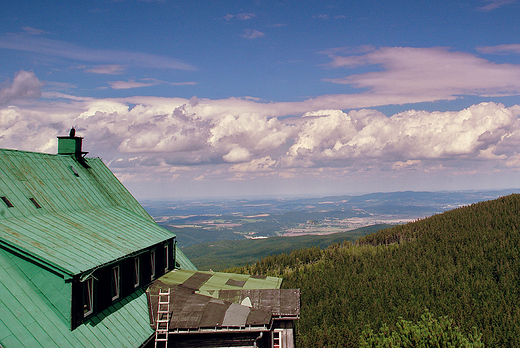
(162, 133)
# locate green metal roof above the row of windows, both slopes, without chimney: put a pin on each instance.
(87, 217)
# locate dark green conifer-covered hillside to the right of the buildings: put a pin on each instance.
(463, 264)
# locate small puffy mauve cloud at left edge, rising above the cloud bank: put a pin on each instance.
(25, 85)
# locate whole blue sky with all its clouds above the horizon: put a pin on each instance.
(243, 98)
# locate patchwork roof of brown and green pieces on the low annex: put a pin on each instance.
(222, 301)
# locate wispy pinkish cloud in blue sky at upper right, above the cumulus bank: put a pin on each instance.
(429, 73)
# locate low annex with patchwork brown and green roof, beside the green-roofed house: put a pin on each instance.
(213, 309)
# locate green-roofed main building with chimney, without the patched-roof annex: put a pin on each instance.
(77, 252)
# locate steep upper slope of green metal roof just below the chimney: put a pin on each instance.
(51, 181)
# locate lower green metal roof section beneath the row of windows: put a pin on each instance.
(26, 320)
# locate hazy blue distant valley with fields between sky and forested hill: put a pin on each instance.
(206, 221)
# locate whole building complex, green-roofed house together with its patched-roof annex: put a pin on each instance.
(82, 264)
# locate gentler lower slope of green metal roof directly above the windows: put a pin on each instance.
(78, 241)
